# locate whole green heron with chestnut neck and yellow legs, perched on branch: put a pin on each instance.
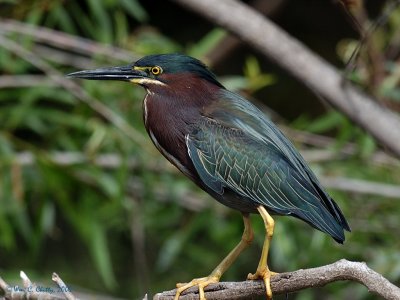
(229, 148)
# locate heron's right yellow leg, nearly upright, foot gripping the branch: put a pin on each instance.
(263, 271)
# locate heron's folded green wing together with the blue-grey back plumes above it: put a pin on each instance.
(231, 154)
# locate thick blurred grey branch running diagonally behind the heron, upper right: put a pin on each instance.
(290, 54)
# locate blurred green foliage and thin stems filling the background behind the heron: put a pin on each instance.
(83, 192)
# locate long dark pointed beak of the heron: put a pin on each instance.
(124, 73)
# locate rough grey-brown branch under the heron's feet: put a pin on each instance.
(295, 281)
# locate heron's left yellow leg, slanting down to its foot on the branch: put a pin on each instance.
(215, 275)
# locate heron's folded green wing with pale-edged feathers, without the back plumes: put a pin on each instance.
(229, 158)
